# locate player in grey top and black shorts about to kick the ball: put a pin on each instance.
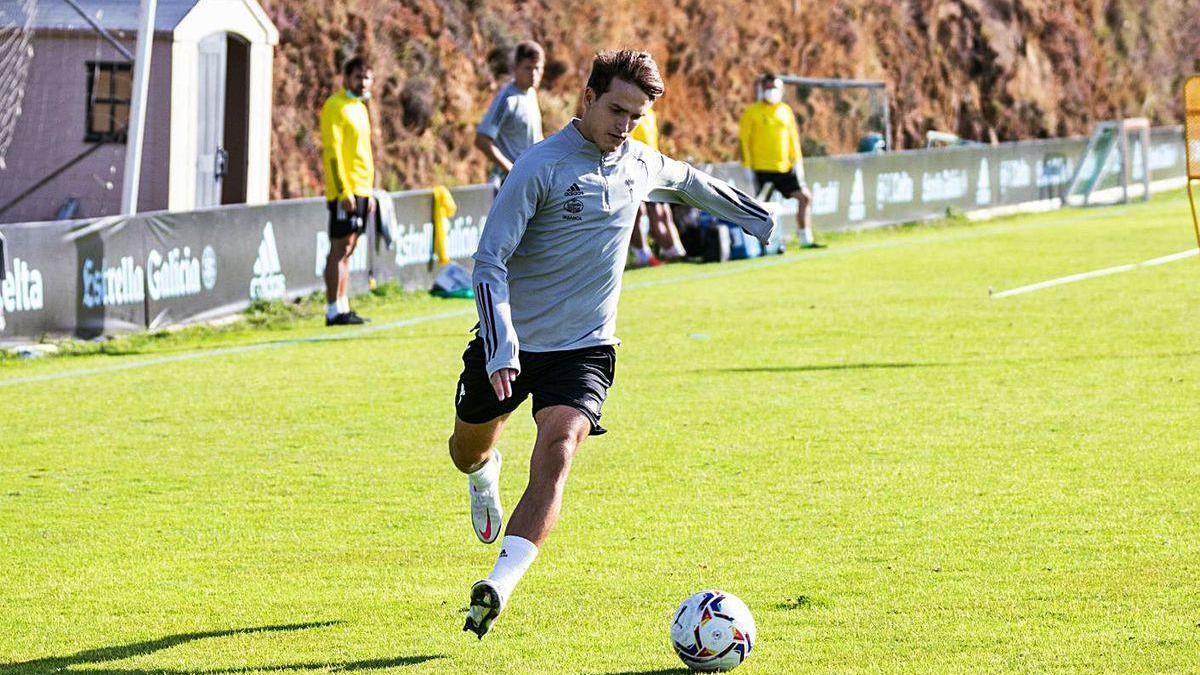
(548, 278)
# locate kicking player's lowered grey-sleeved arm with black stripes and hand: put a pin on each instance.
(515, 205)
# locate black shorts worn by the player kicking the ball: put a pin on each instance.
(579, 379)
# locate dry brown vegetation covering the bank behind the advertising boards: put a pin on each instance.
(985, 69)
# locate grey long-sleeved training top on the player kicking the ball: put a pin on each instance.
(550, 260)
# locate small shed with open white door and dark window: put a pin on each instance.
(208, 116)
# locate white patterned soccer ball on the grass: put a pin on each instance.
(713, 631)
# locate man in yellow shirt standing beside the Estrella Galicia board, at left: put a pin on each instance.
(350, 181)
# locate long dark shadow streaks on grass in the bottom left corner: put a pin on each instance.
(83, 662)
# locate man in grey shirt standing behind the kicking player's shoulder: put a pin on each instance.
(513, 123)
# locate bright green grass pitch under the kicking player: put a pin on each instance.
(895, 471)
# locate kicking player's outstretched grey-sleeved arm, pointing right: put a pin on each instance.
(680, 183)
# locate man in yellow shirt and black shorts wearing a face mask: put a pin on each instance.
(771, 148)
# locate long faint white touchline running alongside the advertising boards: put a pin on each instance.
(746, 267)
